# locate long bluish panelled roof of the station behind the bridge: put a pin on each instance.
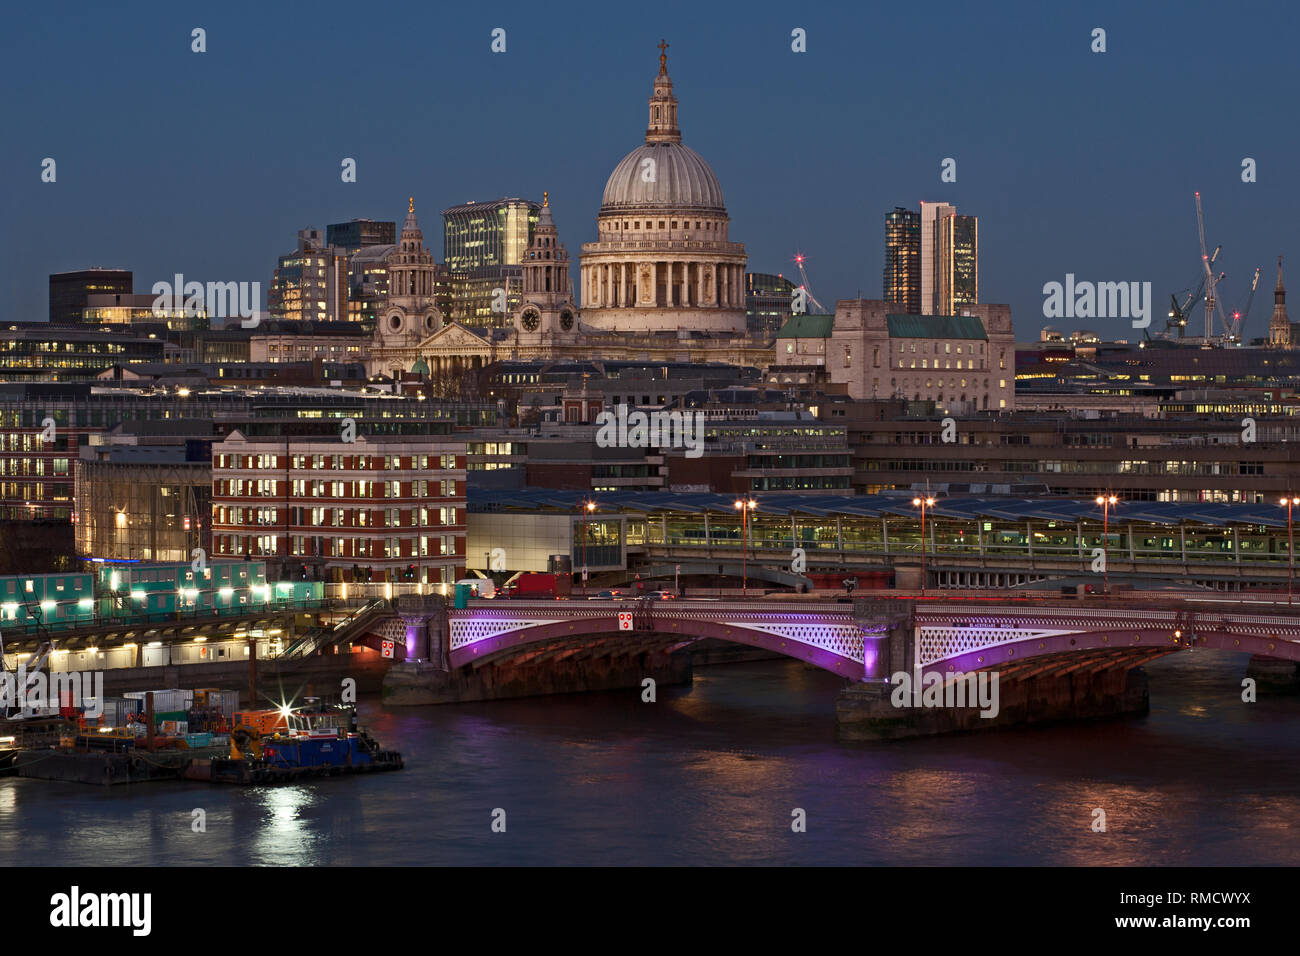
(896, 505)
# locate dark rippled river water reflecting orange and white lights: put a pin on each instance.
(710, 775)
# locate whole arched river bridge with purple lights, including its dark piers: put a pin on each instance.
(1055, 659)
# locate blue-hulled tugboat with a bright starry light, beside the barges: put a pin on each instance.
(311, 742)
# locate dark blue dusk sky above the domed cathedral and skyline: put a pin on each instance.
(209, 165)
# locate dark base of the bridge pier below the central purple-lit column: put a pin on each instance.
(865, 712)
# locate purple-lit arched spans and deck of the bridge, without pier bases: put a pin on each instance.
(872, 639)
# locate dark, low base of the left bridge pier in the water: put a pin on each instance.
(422, 685)
